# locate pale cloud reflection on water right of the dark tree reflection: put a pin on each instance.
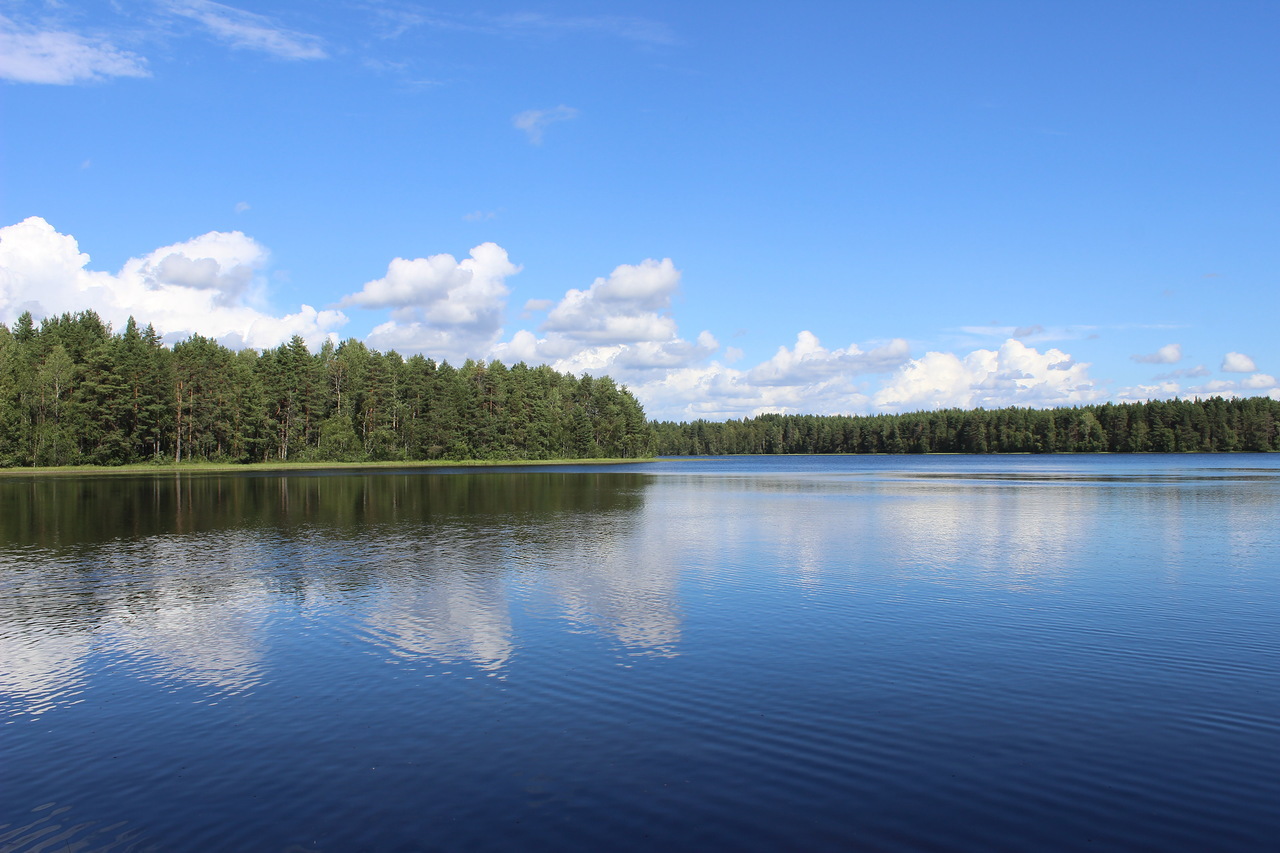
(816, 526)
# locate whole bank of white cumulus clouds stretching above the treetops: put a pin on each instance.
(621, 325)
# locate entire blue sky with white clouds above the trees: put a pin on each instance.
(734, 209)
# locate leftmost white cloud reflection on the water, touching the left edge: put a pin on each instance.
(188, 603)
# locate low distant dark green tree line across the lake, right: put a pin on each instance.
(1167, 427)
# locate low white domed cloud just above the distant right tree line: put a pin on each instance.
(1013, 376)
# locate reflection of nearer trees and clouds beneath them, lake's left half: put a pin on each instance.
(181, 573)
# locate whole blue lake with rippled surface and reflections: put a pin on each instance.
(938, 654)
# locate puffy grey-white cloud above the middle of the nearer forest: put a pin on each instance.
(440, 305)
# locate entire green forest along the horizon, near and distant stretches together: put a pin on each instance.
(72, 393)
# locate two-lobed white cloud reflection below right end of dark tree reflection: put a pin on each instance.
(447, 596)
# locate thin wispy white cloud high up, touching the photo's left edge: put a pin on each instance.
(33, 56)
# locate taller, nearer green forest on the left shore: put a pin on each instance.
(72, 393)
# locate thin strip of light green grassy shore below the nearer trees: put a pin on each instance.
(266, 468)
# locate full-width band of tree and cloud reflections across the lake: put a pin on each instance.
(185, 573)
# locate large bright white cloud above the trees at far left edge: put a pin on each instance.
(209, 285)
